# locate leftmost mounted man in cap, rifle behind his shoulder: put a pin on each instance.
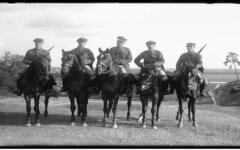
(30, 56)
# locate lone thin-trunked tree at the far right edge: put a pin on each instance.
(232, 59)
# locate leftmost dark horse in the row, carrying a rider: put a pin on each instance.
(33, 83)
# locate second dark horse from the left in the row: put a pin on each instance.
(76, 82)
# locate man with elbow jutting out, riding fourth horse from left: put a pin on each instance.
(153, 61)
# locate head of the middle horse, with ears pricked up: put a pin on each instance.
(104, 62)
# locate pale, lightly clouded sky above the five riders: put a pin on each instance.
(170, 25)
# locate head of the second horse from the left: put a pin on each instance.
(68, 60)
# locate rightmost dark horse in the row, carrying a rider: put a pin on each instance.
(186, 87)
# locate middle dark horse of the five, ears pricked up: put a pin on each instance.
(112, 85)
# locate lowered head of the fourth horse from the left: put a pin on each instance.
(146, 79)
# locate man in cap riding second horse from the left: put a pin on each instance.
(85, 58)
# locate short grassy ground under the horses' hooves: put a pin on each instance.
(218, 126)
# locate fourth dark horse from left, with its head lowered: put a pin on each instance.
(149, 90)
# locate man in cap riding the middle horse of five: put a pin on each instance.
(122, 56)
